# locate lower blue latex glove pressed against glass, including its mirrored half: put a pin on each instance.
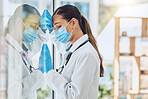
(45, 62)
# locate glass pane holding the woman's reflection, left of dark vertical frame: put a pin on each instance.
(20, 55)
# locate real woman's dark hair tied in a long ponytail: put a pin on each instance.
(68, 12)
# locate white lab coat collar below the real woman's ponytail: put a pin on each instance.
(79, 42)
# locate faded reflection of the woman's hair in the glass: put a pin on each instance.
(22, 12)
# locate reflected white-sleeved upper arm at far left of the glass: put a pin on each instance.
(14, 69)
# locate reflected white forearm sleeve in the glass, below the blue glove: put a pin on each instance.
(32, 82)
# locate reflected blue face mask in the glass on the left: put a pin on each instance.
(29, 35)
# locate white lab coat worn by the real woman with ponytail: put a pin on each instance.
(80, 77)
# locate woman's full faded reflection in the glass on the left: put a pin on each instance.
(23, 27)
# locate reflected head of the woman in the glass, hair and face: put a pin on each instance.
(24, 20)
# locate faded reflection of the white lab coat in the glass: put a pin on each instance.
(21, 83)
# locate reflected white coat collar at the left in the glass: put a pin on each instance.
(13, 43)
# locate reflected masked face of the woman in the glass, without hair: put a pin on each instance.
(31, 25)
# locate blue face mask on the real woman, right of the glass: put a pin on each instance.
(62, 35)
